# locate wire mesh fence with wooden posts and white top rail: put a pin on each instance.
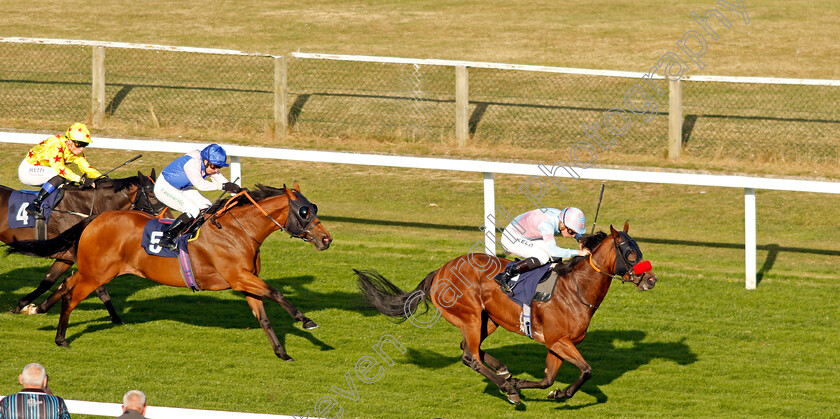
(428, 98)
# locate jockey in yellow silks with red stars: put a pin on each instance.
(45, 164)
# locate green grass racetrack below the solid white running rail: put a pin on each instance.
(698, 344)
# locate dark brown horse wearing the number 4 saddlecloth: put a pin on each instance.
(135, 192)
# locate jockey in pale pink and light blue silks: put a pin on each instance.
(531, 237)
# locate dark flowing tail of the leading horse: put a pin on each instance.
(389, 299)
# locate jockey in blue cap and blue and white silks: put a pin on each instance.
(179, 184)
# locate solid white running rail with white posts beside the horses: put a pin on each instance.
(488, 169)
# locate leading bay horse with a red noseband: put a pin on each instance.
(464, 292)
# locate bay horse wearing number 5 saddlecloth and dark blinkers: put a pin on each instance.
(226, 254)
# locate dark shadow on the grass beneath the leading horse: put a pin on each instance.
(611, 353)
